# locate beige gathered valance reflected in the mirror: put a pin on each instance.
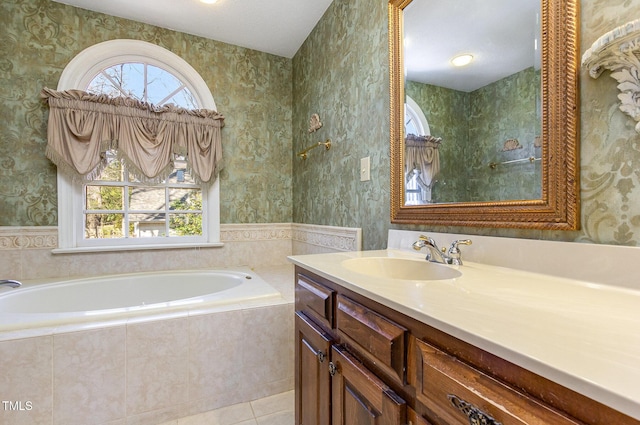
(421, 153)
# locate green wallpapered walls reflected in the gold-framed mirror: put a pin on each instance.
(474, 127)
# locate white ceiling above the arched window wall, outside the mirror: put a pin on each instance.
(273, 26)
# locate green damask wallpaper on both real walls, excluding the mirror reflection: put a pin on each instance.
(341, 73)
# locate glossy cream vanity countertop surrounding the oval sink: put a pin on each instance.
(582, 335)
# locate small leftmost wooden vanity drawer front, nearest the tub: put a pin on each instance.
(315, 300)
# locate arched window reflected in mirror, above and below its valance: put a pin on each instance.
(417, 192)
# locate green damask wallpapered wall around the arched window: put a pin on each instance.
(252, 89)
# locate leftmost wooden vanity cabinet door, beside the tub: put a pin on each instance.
(313, 381)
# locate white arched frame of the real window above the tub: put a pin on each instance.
(77, 75)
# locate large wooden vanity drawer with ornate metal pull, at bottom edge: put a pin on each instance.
(457, 393)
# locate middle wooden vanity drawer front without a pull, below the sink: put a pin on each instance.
(377, 338)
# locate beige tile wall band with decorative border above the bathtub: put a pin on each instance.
(26, 251)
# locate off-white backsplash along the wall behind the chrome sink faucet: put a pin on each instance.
(595, 263)
